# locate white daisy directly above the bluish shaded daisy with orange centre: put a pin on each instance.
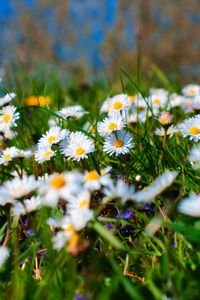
(108, 125)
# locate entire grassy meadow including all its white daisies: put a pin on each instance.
(99, 188)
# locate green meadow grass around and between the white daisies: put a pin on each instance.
(126, 251)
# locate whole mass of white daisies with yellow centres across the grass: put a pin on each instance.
(85, 187)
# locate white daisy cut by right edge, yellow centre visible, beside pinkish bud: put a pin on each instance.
(191, 128)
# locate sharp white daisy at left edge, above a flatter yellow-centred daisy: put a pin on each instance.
(8, 117)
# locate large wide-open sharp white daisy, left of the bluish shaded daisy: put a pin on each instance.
(78, 147)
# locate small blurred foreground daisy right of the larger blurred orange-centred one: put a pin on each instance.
(93, 181)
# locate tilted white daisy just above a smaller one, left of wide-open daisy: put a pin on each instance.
(53, 136)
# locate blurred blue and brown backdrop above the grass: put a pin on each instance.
(90, 37)
